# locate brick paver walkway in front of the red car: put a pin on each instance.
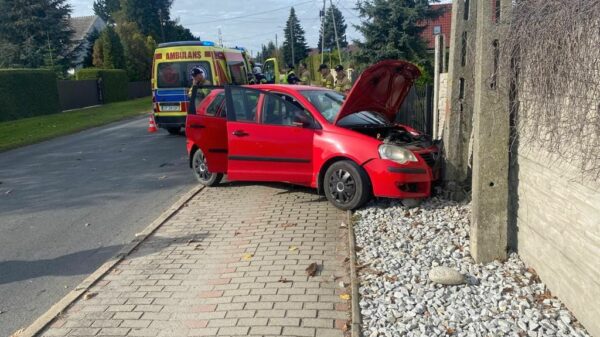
(232, 262)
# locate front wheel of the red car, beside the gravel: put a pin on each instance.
(347, 185)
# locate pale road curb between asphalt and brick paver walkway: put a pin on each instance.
(43, 321)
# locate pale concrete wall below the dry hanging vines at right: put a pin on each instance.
(558, 230)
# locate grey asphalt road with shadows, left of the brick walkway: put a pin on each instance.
(67, 205)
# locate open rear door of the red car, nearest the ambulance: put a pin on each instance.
(207, 128)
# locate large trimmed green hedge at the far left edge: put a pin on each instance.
(27, 93)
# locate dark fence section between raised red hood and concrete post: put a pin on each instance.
(417, 109)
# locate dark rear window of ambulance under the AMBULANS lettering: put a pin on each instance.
(177, 74)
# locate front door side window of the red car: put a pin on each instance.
(284, 110)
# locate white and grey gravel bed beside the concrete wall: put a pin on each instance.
(396, 249)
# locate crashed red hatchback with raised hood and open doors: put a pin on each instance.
(347, 147)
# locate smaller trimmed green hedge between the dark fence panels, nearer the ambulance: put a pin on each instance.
(114, 82)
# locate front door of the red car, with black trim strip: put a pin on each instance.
(269, 141)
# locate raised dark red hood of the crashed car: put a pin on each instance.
(381, 88)
